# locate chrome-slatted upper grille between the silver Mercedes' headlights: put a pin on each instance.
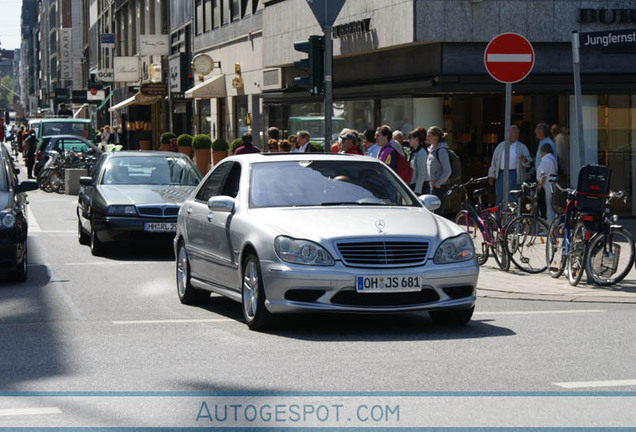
(383, 253)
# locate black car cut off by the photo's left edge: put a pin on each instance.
(13, 221)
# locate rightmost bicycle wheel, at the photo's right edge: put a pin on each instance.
(609, 258)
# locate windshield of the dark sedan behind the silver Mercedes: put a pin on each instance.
(156, 170)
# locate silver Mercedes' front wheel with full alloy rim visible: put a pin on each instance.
(256, 315)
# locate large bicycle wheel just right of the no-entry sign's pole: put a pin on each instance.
(525, 242)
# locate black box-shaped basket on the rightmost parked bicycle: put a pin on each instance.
(592, 189)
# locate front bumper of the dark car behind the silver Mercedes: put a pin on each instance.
(126, 228)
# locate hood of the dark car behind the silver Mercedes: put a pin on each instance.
(145, 194)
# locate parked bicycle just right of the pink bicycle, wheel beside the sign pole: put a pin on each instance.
(526, 234)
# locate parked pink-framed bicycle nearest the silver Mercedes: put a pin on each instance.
(480, 224)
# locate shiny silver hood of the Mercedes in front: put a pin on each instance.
(337, 222)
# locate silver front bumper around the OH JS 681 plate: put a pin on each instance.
(295, 288)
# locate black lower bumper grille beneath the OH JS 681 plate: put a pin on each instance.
(354, 298)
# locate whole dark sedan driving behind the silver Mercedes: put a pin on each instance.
(133, 195)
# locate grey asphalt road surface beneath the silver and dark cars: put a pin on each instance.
(91, 327)
